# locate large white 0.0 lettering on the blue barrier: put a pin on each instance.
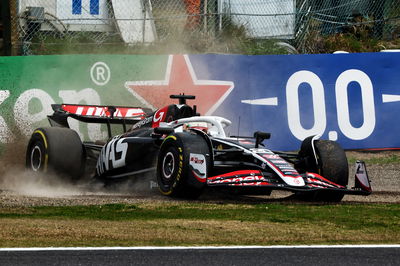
(342, 105)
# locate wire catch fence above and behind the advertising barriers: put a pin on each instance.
(220, 26)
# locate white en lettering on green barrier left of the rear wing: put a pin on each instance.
(24, 117)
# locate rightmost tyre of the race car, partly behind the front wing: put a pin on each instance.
(332, 165)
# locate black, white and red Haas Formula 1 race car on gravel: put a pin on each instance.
(188, 152)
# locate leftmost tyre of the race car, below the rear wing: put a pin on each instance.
(56, 150)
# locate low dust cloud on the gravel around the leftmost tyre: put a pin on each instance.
(15, 178)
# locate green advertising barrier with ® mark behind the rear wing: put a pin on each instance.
(29, 85)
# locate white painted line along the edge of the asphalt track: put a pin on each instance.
(198, 247)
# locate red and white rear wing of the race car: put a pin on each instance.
(97, 114)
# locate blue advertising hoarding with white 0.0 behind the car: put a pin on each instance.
(351, 98)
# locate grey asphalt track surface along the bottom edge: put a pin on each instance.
(301, 255)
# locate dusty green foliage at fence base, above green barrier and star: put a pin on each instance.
(231, 39)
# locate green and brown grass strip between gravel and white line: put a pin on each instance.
(182, 223)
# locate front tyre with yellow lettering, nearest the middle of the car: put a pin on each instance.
(183, 164)
